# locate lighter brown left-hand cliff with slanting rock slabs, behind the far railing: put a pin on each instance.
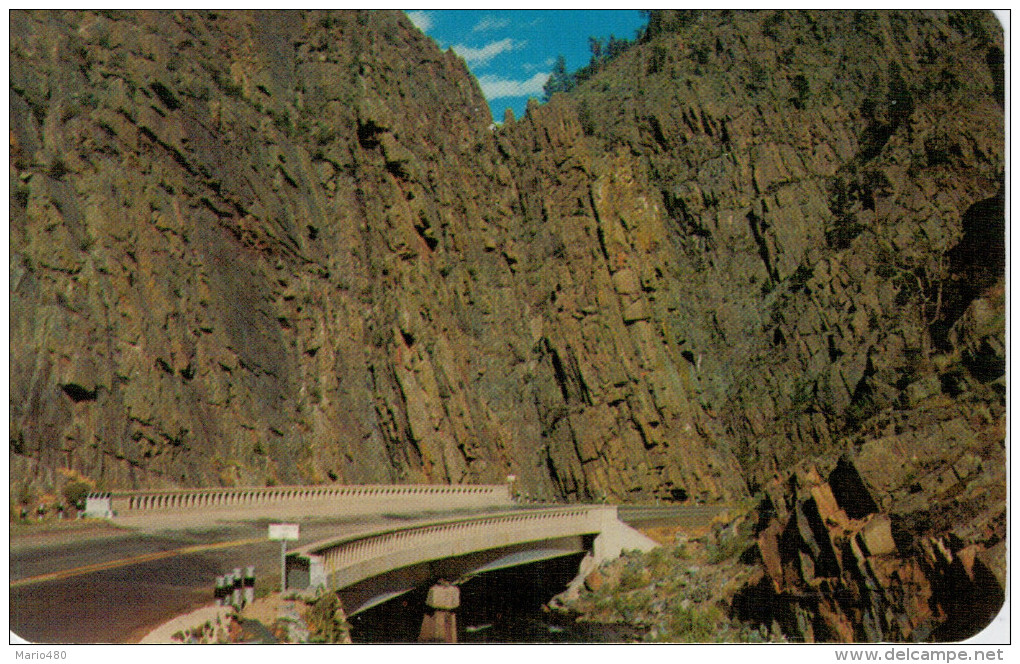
(278, 248)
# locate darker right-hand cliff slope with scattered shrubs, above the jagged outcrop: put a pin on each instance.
(828, 180)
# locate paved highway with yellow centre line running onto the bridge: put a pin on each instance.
(108, 586)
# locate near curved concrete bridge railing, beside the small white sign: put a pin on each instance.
(343, 561)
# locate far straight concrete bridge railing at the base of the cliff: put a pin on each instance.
(353, 499)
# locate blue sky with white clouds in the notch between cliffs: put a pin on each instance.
(512, 53)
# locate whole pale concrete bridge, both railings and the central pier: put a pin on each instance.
(461, 532)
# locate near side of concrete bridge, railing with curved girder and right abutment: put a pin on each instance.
(368, 570)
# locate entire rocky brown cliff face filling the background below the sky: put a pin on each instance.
(291, 248)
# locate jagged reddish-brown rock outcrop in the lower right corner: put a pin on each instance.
(835, 569)
